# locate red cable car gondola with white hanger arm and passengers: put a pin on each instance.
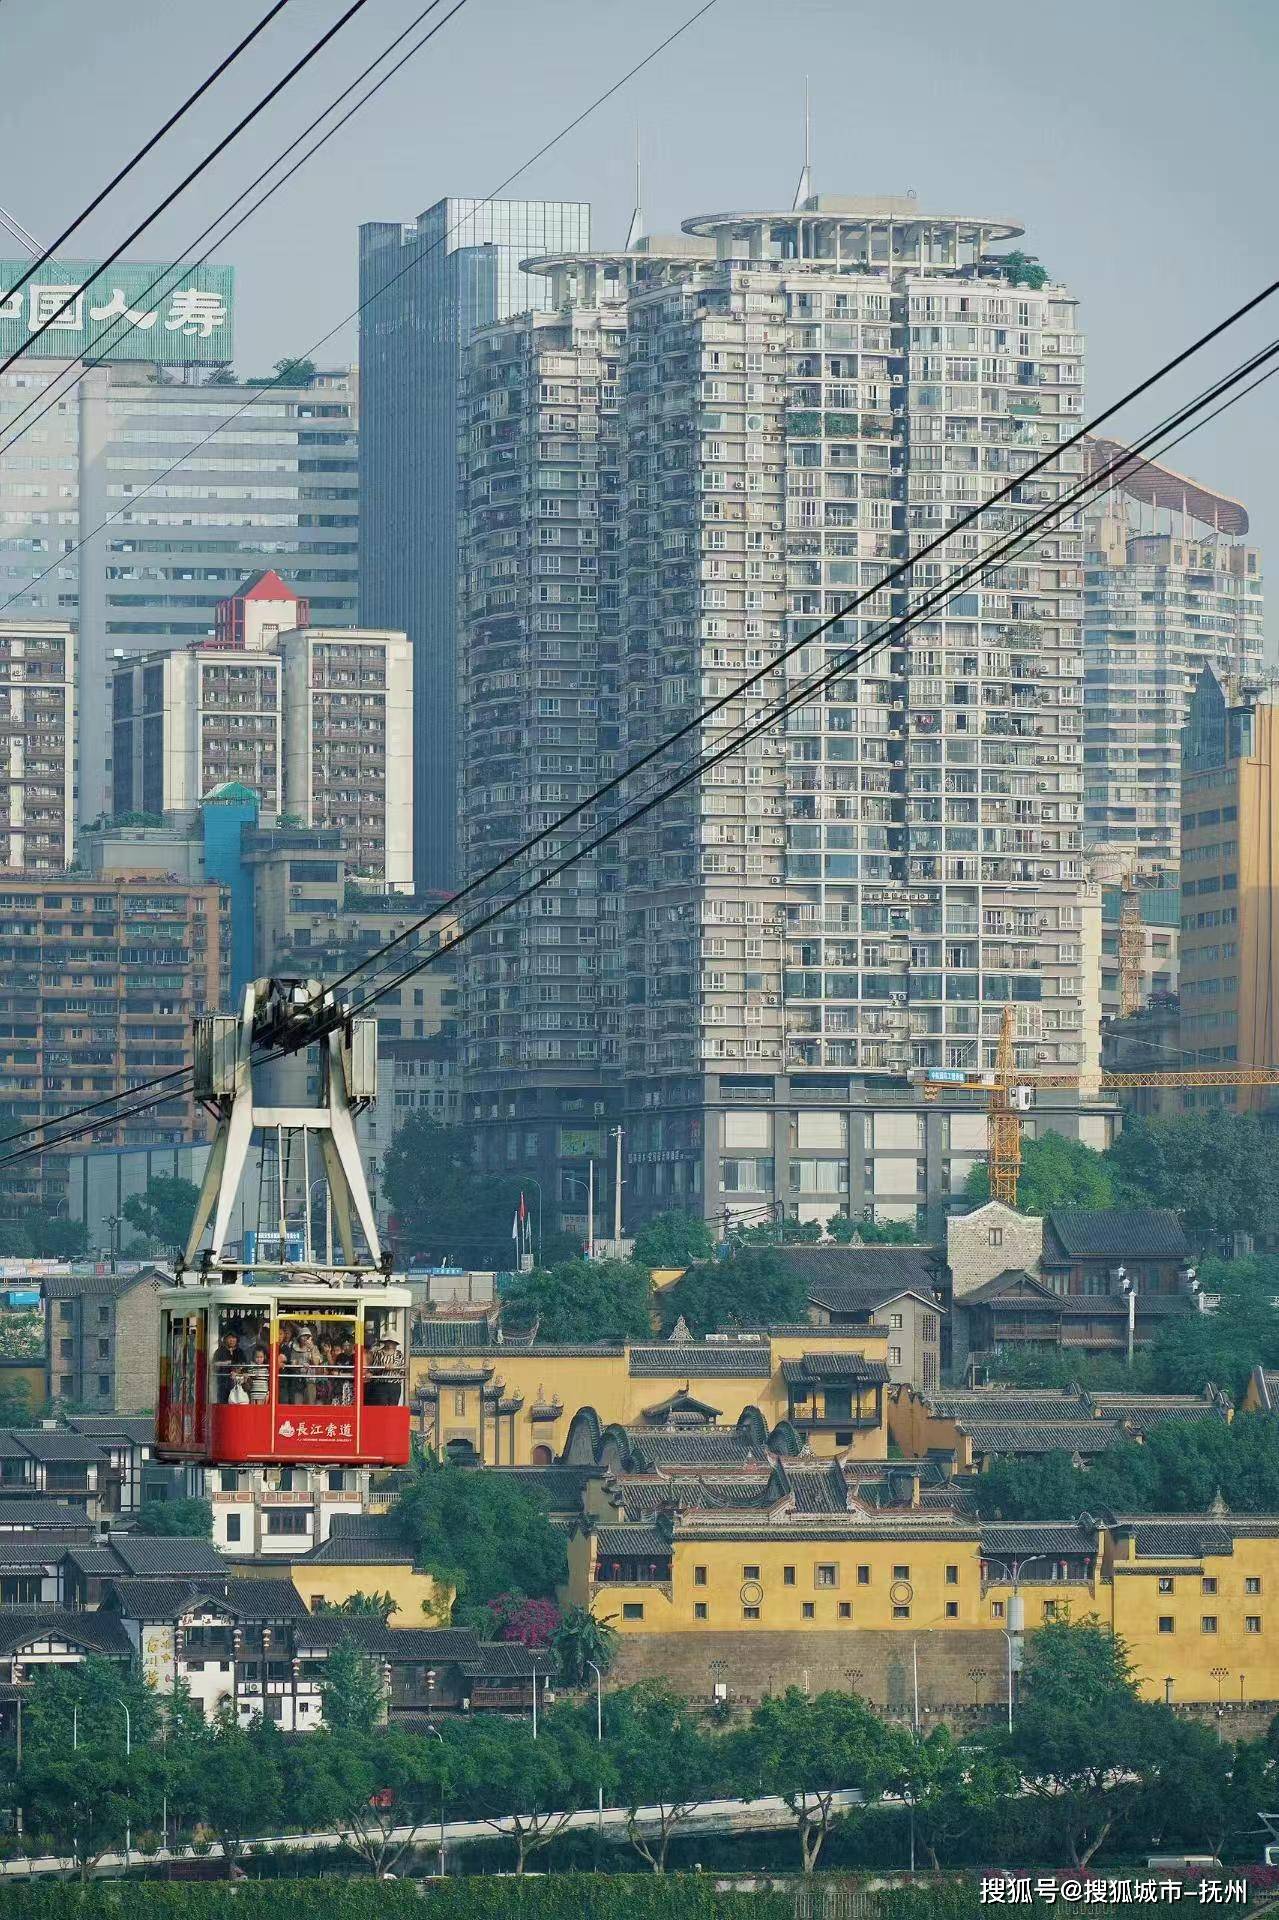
(281, 1360)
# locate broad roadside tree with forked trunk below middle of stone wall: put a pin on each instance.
(808, 1750)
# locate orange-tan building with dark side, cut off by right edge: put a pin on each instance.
(1230, 884)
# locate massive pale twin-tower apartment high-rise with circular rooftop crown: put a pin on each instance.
(859, 892)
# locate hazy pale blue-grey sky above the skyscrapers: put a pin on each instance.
(1134, 139)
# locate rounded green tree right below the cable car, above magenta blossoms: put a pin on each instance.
(481, 1535)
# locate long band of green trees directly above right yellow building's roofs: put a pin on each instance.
(1178, 1470)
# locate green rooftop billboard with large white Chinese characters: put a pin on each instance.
(130, 312)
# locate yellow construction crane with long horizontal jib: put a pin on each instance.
(1011, 1093)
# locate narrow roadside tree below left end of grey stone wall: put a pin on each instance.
(664, 1760)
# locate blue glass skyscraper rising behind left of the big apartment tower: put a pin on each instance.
(423, 291)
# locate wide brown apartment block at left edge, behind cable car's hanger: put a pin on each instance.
(101, 978)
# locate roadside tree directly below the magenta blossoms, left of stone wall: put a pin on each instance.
(531, 1788)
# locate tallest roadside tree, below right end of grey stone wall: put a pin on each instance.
(1084, 1742)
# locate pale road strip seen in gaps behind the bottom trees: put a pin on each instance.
(710, 1817)
